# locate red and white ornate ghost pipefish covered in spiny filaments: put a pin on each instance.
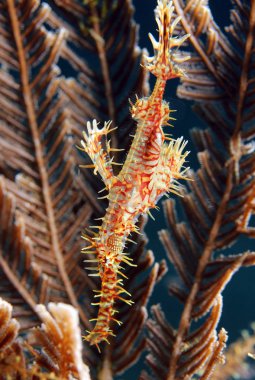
(151, 169)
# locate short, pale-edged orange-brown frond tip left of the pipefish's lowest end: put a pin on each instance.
(59, 342)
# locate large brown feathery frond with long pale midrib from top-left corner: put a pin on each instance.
(34, 137)
